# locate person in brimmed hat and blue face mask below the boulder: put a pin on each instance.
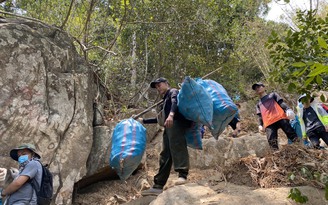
(20, 190)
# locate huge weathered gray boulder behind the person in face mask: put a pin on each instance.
(46, 97)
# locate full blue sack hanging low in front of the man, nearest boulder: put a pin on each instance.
(128, 146)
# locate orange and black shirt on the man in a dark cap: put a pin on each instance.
(270, 110)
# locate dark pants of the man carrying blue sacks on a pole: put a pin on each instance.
(174, 150)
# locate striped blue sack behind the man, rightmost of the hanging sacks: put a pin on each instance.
(223, 107)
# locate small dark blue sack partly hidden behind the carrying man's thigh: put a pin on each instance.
(194, 135)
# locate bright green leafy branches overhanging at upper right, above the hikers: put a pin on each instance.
(300, 57)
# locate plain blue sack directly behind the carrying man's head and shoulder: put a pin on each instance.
(195, 103)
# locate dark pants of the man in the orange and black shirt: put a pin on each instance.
(272, 132)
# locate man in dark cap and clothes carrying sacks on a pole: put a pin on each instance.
(174, 148)
